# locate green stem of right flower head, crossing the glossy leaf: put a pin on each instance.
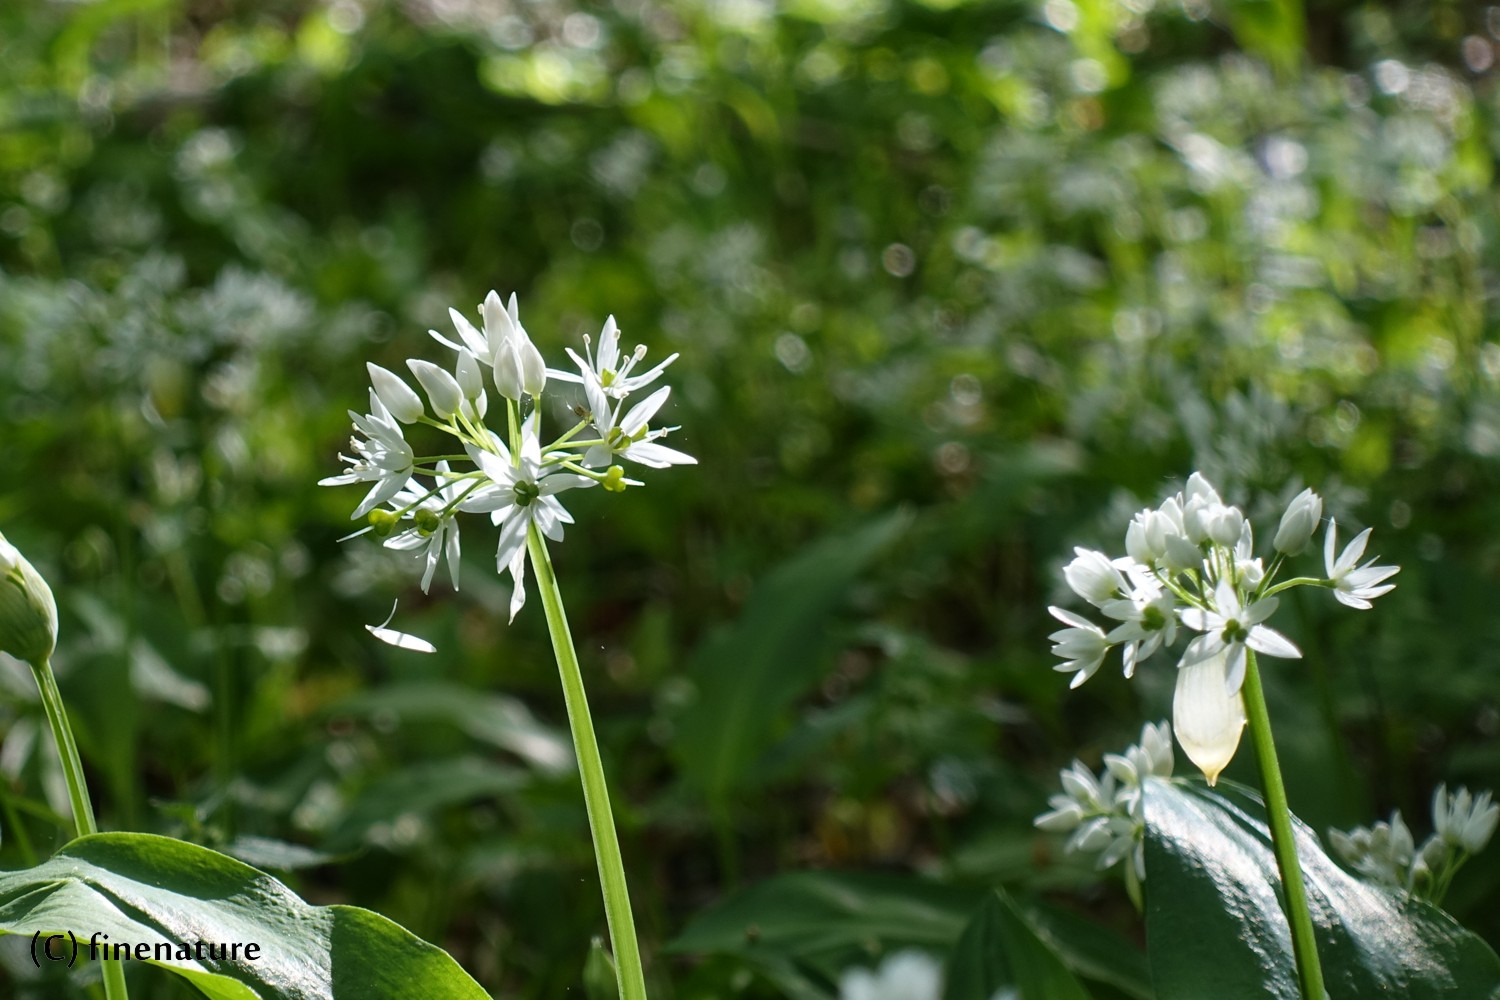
(1304, 941)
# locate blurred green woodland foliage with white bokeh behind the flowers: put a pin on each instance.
(956, 286)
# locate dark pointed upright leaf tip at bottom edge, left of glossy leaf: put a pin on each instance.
(1001, 950)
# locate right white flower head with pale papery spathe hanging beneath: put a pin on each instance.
(1193, 563)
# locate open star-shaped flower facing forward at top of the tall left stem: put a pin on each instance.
(520, 494)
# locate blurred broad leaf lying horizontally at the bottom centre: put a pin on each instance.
(821, 920)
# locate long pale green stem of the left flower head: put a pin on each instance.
(596, 792)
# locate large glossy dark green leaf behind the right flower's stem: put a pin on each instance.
(1216, 927)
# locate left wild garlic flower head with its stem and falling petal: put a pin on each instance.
(415, 501)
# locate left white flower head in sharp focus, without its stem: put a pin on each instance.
(515, 479)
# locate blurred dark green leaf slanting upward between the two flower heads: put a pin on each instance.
(751, 674)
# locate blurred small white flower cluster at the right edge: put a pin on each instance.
(1387, 854)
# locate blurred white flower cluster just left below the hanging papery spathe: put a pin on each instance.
(1105, 813)
